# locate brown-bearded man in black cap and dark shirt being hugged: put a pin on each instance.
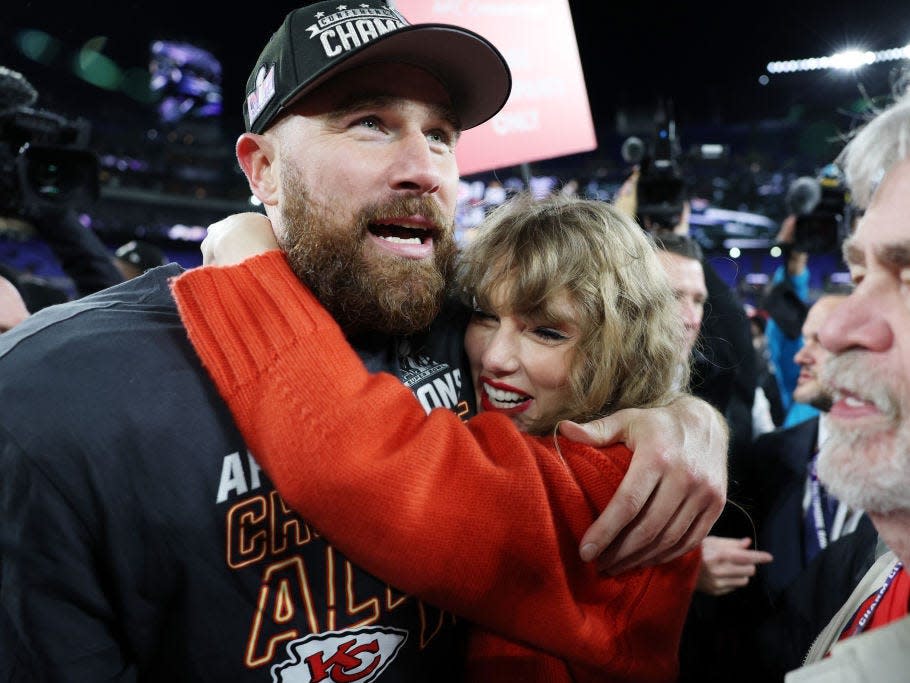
(139, 536)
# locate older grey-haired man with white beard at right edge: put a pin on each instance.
(865, 459)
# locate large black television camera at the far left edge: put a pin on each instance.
(44, 157)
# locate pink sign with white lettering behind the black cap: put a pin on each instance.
(548, 114)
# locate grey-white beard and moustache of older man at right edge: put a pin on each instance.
(868, 468)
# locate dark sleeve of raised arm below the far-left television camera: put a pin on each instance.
(81, 253)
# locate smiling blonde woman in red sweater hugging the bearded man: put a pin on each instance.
(572, 319)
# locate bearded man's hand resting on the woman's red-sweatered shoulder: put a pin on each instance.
(675, 488)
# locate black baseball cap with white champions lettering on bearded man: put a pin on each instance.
(322, 39)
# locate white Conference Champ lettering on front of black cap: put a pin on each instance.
(348, 29)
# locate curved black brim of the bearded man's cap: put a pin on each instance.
(472, 70)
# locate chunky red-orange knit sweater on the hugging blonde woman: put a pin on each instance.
(476, 518)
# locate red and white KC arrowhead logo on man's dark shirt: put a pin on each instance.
(340, 656)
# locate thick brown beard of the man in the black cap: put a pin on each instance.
(365, 290)
